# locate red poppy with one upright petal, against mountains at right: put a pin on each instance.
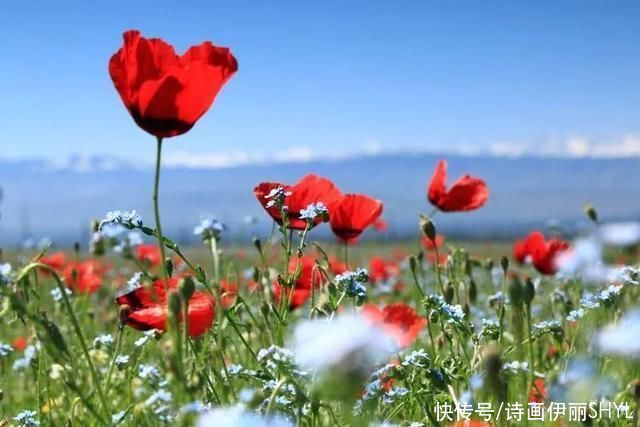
(466, 194)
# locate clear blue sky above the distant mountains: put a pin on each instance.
(331, 75)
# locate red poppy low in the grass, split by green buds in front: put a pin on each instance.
(147, 308)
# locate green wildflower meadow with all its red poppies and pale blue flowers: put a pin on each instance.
(133, 329)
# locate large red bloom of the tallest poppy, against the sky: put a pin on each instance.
(165, 93)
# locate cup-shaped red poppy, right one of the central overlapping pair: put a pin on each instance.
(351, 214)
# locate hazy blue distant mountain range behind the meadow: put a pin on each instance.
(58, 201)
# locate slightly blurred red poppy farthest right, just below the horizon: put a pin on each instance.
(542, 253)
